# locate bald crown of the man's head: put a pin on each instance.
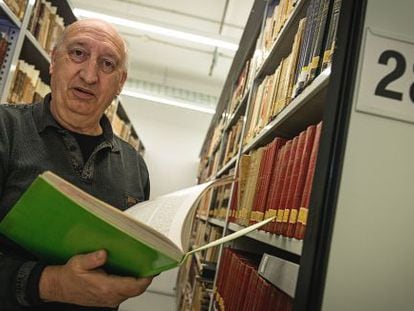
(106, 30)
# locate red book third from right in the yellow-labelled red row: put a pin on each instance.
(293, 181)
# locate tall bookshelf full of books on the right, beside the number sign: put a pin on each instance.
(309, 92)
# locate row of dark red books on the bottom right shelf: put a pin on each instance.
(240, 287)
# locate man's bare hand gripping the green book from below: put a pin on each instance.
(81, 282)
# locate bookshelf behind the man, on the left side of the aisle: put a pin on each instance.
(23, 45)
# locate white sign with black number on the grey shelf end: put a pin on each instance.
(386, 81)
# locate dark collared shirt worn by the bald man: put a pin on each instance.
(31, 142)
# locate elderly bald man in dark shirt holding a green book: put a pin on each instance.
(69, 134)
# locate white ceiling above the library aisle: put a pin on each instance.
(163, 64)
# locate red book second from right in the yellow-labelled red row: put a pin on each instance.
(304, 164)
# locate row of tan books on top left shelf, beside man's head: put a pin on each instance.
(45, 24)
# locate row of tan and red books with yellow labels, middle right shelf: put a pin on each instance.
(276, 180)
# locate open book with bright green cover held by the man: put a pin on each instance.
(55, 220)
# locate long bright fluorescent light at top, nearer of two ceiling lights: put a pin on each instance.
(158, 30)
